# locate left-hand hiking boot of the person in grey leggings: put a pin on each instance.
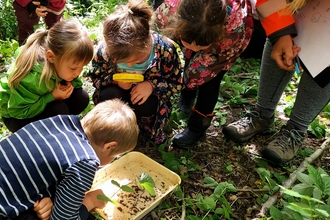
(247, 127)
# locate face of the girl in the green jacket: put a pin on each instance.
(68, 69)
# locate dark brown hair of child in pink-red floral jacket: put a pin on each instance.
(200, 21)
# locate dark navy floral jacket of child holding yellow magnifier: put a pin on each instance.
(164, 73)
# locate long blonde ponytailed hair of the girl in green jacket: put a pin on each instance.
(66, 39)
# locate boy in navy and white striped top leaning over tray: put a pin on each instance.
(58, 157)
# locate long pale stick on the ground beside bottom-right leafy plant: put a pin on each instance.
(293, 176)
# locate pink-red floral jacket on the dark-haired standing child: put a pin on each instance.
(204, 65)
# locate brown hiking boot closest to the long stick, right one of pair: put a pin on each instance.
(284, 147)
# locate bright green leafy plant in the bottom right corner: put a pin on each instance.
(309, 199)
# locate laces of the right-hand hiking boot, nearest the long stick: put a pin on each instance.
(289, 139)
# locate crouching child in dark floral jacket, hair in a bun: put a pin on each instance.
(130, 47)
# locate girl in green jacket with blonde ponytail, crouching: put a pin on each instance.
(44, 79)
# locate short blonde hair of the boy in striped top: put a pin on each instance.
(109, 121)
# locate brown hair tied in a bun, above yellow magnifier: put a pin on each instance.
(126, 31)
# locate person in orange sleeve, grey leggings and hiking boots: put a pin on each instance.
(277, 69)
